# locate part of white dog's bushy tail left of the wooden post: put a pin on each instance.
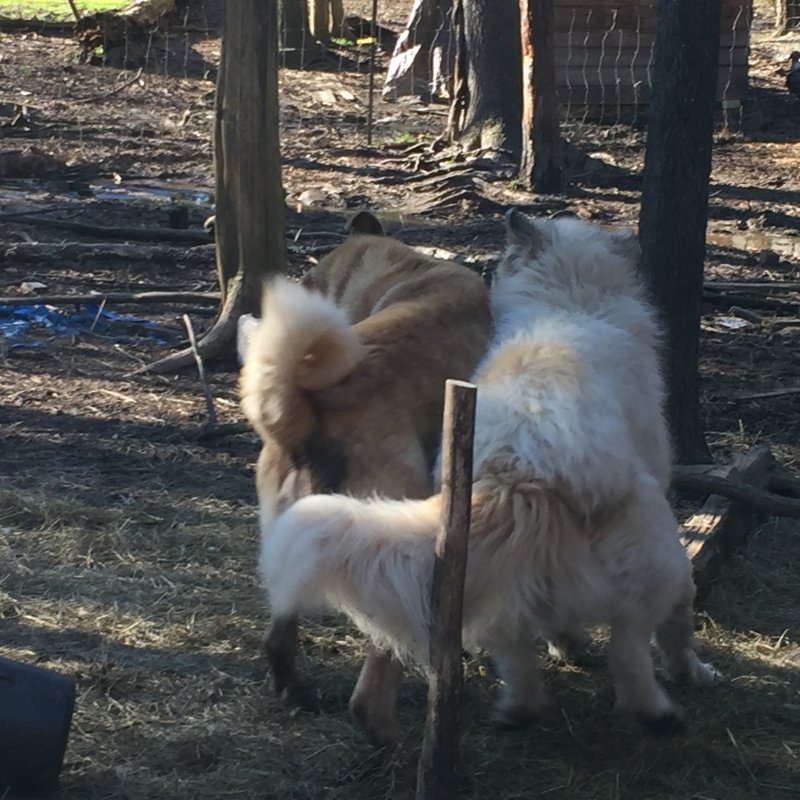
(371, 559)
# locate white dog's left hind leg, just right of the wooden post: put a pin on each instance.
(522, 696)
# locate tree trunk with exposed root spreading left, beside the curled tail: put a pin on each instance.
(250, 209)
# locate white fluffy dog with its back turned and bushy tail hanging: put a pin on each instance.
(570, 525)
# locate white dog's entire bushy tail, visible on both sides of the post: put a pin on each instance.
(373, 559)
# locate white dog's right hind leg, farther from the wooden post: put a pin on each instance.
(637, 690)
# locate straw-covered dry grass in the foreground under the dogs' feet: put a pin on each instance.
(162, 623)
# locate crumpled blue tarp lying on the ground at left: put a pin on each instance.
(19, 323)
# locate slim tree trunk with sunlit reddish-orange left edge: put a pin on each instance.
(540, 165)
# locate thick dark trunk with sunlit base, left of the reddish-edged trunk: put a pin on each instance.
(494, 75)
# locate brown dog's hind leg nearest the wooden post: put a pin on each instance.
(374, 700)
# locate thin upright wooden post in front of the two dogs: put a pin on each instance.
(438, 766)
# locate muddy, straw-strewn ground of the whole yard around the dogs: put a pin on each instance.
(128, 540)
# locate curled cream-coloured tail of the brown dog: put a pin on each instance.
(303, 343)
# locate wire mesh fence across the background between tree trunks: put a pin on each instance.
(362, 70)
